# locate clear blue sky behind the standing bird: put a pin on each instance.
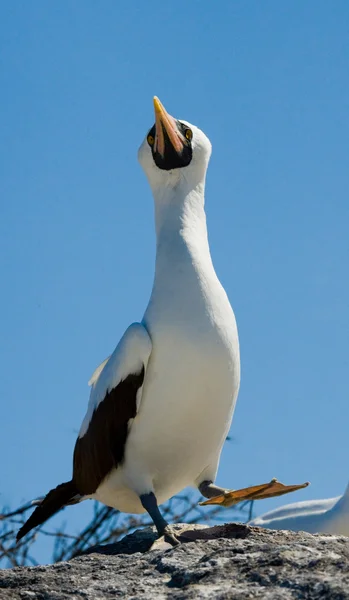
(268, 82)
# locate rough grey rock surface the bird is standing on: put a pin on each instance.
(222, 562)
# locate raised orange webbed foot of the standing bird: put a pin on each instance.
(255, 492)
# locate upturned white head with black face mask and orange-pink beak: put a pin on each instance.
(174, 150)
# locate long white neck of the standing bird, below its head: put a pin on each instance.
(183, 258)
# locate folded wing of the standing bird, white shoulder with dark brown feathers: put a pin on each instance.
(114, 401)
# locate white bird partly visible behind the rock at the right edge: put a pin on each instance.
(316, 516)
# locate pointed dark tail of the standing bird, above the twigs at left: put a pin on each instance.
(52, 503)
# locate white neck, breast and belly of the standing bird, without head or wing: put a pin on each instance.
(192, 376)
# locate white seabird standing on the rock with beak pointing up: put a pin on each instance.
(161, 405)
